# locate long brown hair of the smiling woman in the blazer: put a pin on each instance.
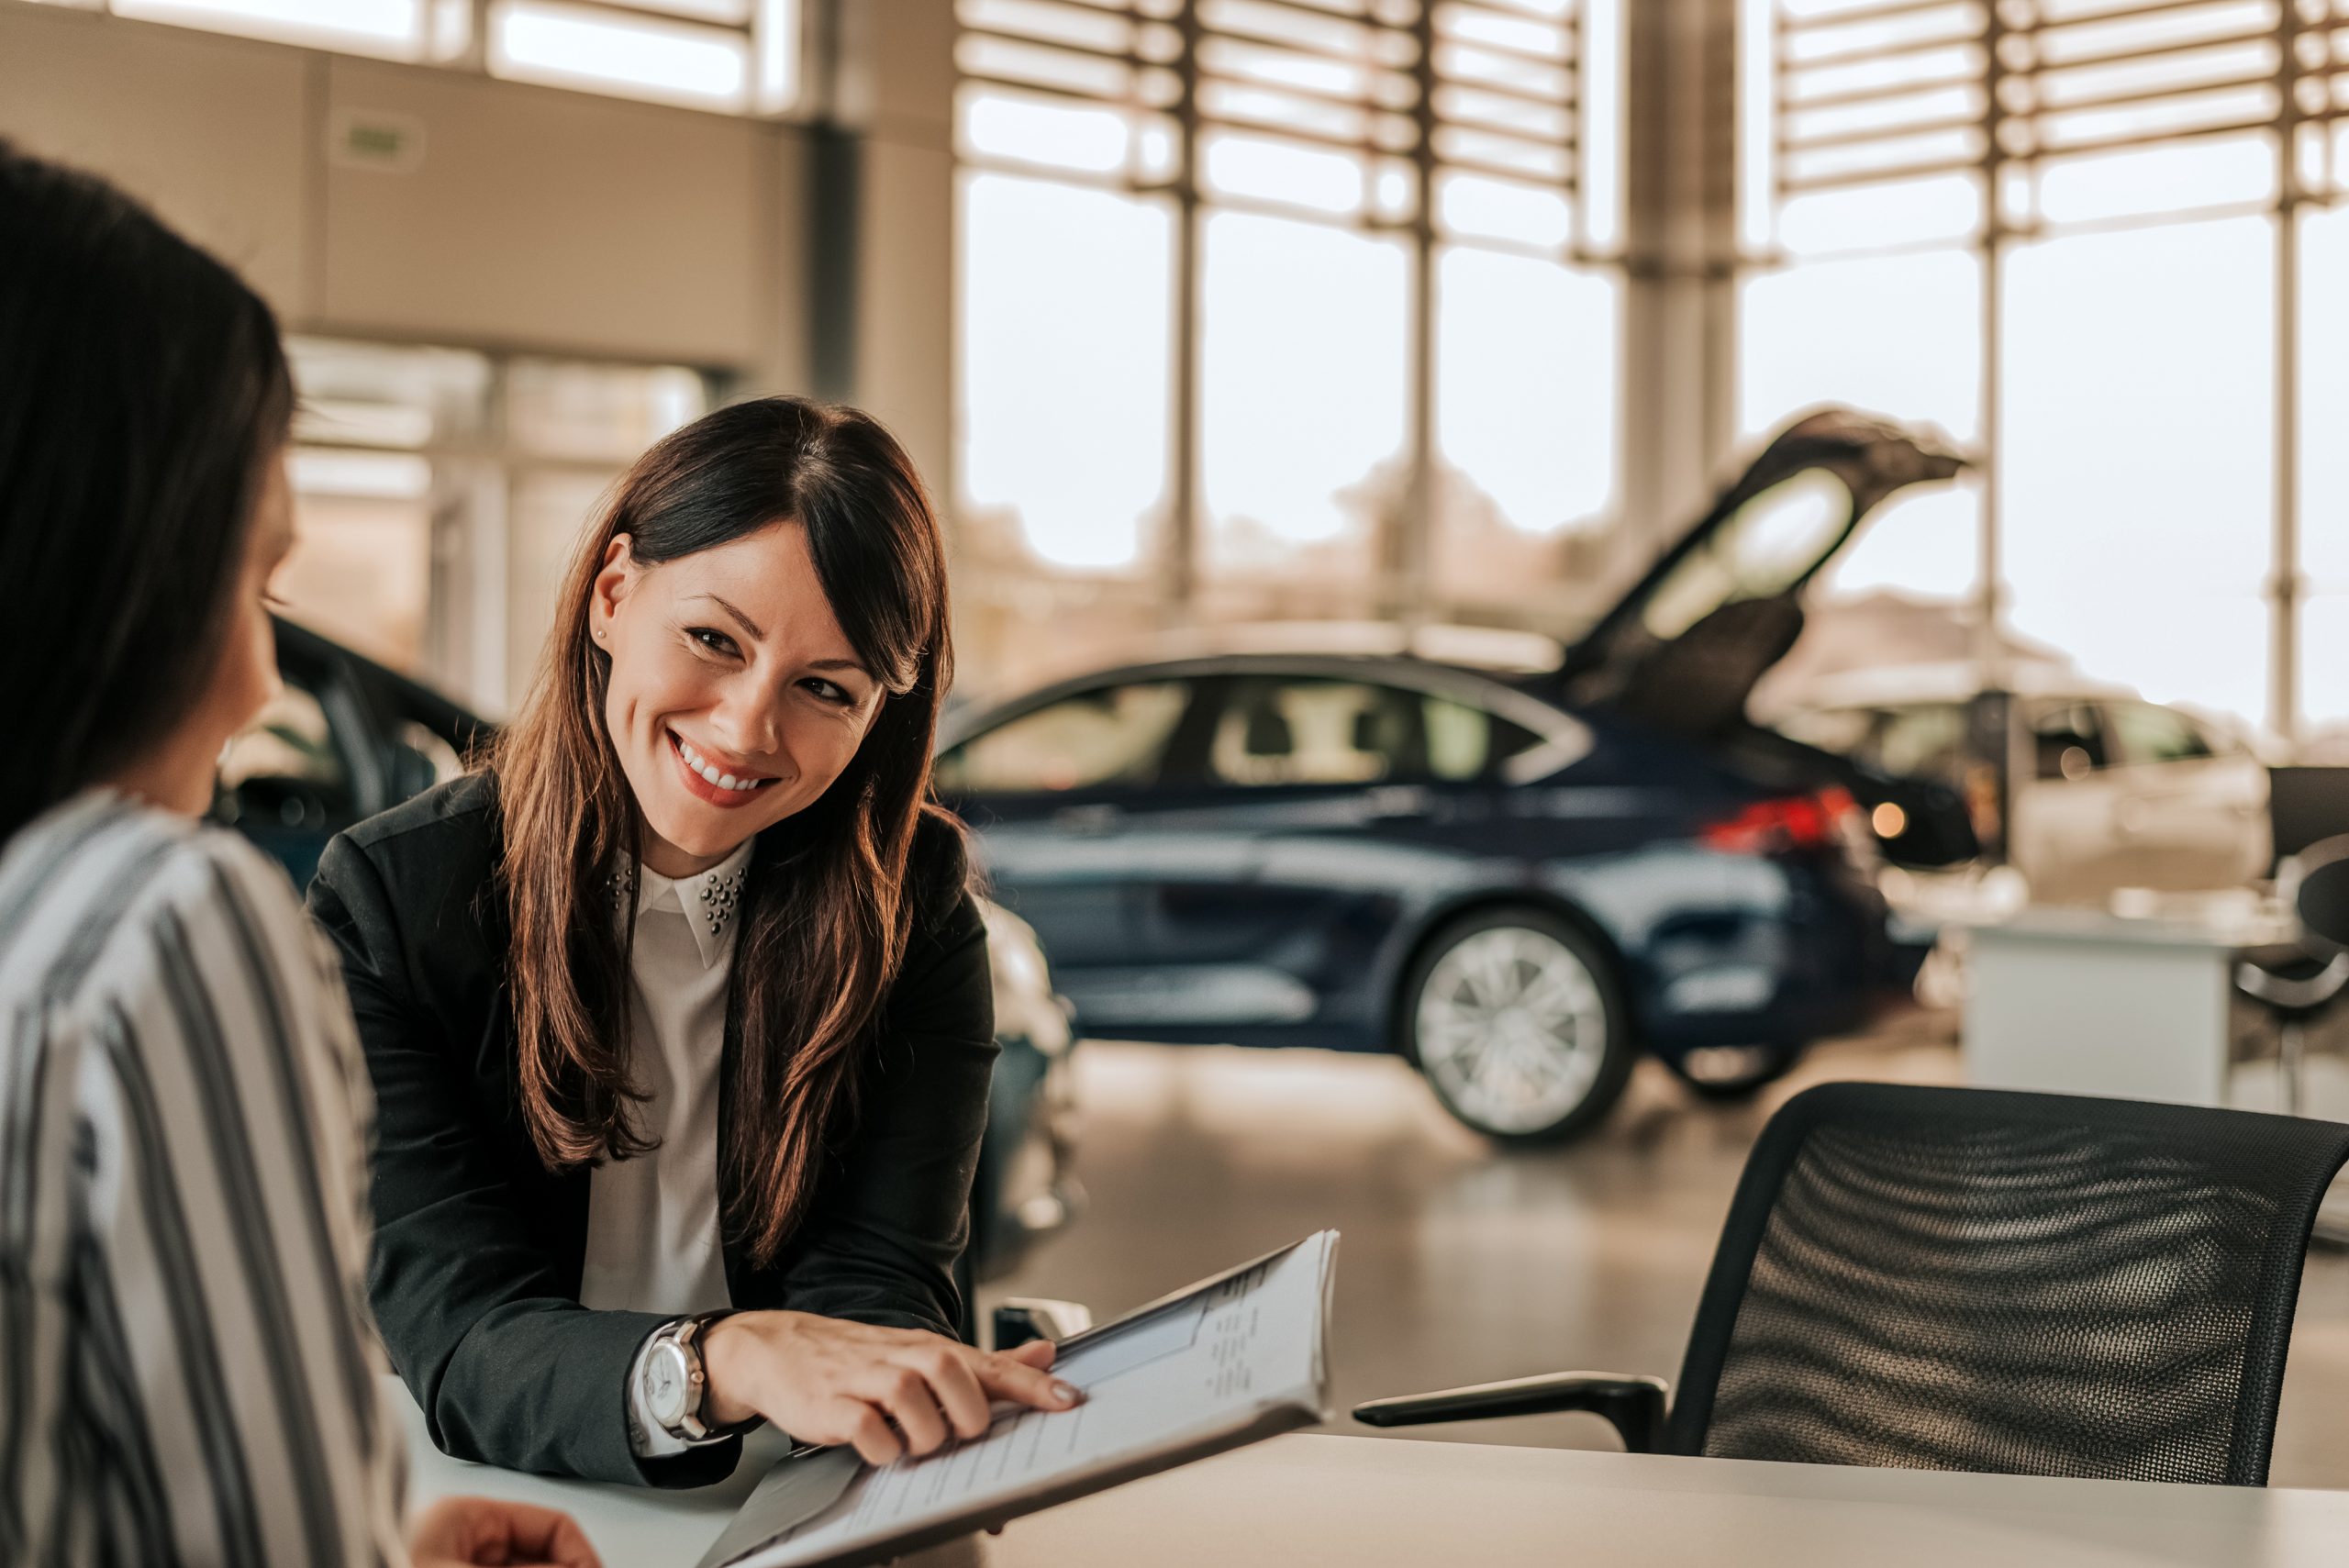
(828, 910)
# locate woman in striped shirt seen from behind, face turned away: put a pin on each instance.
(184, 1358)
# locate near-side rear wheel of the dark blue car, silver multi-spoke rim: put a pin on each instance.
(1516, 1069)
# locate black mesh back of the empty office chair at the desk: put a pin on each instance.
(2007, 1283)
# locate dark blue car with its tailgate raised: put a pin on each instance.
(1516, 879)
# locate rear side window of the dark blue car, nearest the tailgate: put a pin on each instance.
(1331, 731)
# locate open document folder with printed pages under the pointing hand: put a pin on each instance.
(1213, 1367)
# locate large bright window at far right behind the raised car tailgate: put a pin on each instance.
(2094, 241)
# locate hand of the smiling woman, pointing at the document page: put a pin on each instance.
(884, 1391)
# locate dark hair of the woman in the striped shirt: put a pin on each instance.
(142, 398)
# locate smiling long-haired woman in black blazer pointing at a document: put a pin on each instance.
(678, 1013)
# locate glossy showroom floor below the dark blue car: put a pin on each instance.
(1462, 1264)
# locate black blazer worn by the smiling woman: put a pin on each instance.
(478, 1259)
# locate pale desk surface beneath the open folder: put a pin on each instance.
(1364, 1503)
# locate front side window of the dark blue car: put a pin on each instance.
(1101, 738)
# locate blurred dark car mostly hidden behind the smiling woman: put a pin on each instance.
(349, 738)
